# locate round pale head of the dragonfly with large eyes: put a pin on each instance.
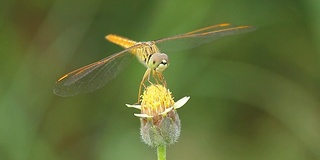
(159, 62)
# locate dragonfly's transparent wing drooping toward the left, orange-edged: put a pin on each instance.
(93, 76)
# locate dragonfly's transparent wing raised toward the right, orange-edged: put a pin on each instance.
(195, 38)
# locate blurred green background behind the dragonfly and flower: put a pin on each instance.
(253, 95)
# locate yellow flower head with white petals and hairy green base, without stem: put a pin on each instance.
(160, 123)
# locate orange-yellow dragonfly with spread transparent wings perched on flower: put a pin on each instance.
(152, 54)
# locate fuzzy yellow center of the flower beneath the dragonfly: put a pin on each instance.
(155, 100)
